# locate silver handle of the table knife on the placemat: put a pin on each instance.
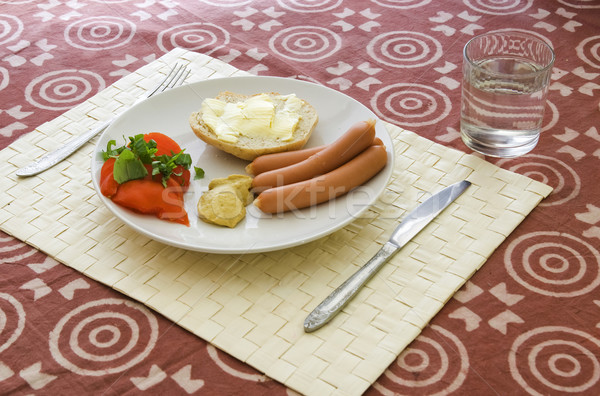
(334, 303)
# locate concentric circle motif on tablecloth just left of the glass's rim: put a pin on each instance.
(405, 49)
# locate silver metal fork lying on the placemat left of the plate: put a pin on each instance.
(176, 77)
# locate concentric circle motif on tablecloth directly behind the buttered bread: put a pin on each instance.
(305, 43)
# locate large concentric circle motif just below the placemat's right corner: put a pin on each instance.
(554, 264)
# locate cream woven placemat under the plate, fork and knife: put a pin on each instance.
(253, 306)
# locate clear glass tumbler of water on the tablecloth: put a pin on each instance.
(506, 75)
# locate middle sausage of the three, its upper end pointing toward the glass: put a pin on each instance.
(358, 137)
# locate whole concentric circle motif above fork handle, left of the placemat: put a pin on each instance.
(63, 89)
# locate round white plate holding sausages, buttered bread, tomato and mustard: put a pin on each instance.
(169, 112)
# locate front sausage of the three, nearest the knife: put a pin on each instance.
(310, 192)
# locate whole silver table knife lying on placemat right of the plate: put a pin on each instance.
(410, 226)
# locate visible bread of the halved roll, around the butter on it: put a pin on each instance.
(248, 148)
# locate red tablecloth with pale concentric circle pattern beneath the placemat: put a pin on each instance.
(528, 322)
